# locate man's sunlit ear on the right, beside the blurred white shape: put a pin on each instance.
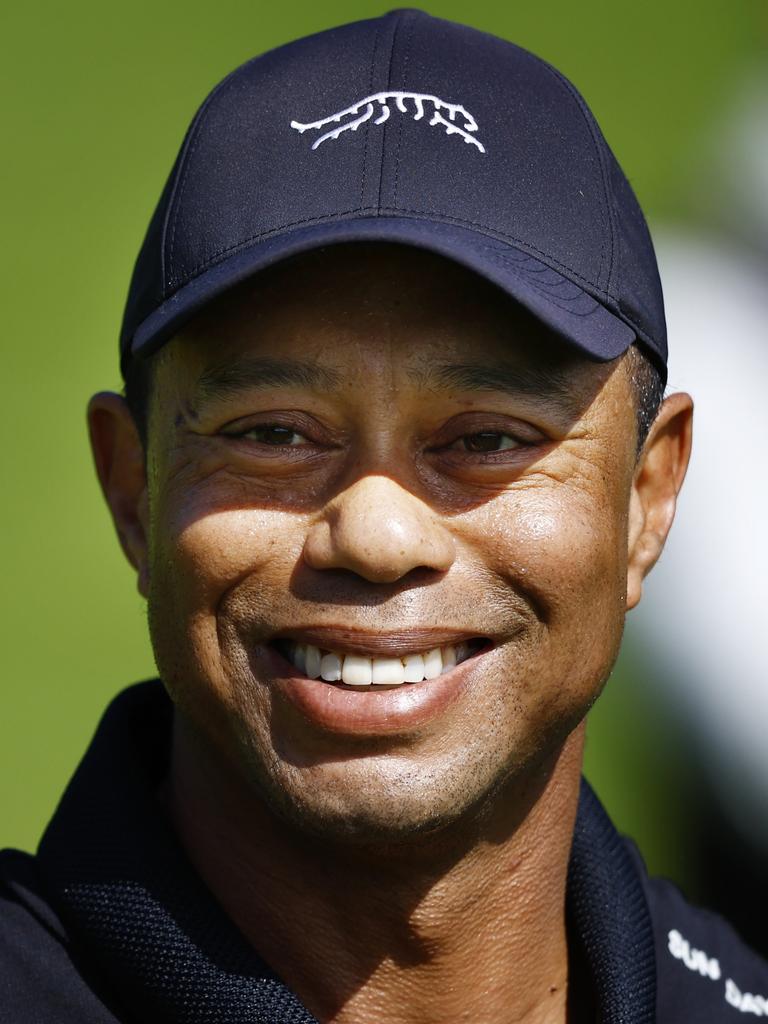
(658, 481)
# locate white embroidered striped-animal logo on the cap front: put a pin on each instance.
(351, 118)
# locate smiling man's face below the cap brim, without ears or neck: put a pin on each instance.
(375, 453)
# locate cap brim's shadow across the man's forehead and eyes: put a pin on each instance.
(367, 363)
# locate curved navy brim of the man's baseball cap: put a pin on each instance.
(558, 302)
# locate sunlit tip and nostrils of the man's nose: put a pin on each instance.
(379, 531)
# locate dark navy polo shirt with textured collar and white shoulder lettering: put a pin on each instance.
(110, 923)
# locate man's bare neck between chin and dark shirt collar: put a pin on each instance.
(466, 926)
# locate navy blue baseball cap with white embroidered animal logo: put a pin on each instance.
(410, 130)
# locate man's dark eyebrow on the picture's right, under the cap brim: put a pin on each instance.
(546, 383)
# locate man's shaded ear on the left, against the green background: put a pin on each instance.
(119, 456)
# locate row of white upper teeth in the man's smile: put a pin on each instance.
(358, 670)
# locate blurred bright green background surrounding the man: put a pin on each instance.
(96, 100)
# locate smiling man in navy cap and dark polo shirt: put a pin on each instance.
(391, 467)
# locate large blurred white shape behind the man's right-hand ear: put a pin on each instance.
(704, 618)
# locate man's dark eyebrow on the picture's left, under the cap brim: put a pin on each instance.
(231, 379)
